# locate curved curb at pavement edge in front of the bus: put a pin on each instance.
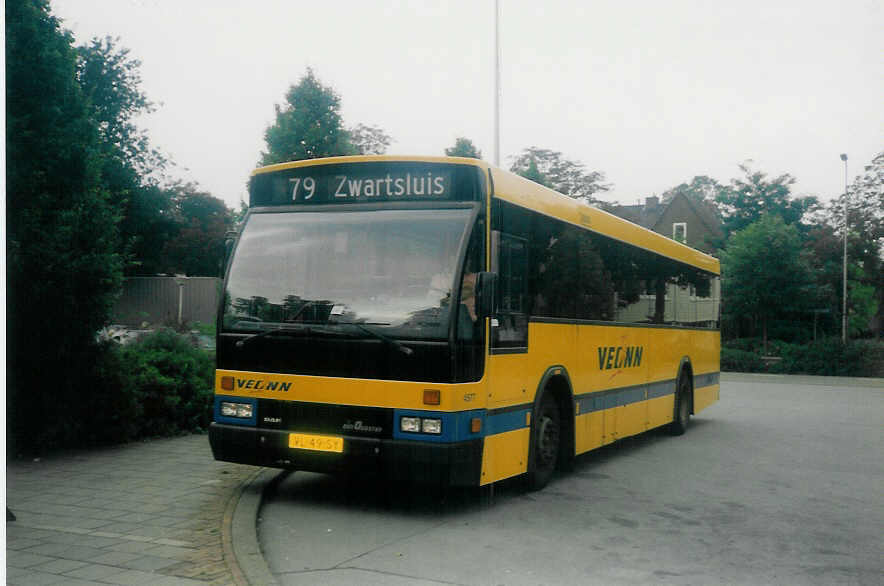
(239, 532)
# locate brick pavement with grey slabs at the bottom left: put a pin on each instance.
(143, 513)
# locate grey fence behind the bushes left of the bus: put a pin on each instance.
(167, 300)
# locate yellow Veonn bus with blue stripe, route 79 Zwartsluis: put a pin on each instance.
(442, 320)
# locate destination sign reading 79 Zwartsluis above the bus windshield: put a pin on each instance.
(351, 183)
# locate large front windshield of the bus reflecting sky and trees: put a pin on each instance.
(387, 270)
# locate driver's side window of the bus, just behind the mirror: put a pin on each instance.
(511, 329)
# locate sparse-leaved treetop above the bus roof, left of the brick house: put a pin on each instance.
(560, 174)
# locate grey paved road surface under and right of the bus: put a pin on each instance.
(781, 482)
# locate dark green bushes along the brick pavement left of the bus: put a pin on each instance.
(158, 386)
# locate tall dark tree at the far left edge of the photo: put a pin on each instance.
(63, 267)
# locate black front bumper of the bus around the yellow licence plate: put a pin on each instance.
(455, 464)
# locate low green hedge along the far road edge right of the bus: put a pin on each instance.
(827, 357)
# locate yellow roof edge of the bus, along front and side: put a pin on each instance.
(530, 195)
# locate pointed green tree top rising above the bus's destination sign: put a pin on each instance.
(308, 125)
